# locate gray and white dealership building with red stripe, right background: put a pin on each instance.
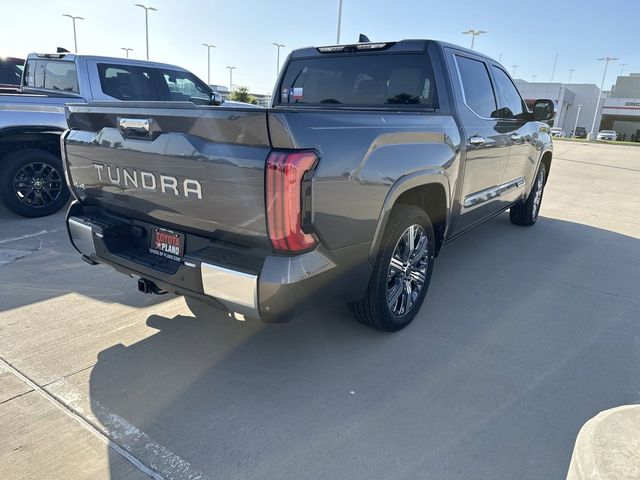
(619, 109)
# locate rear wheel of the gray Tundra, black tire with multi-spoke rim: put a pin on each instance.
(402, 271)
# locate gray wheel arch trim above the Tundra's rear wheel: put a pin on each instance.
(428, 190)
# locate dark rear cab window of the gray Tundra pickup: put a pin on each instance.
(360, 80)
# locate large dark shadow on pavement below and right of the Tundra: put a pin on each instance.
(525, 335)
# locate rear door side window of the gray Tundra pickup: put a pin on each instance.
(476, 85)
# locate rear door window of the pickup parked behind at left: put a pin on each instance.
(127, 82)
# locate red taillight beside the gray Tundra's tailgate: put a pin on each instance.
(285, 172)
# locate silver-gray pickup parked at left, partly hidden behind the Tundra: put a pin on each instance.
(32, 119)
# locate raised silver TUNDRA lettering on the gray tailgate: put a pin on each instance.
(141, 180)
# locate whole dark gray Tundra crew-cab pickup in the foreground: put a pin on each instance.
(371, 158)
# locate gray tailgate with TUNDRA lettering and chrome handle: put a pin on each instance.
(201, 168)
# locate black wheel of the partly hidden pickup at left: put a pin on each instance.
(32, 182)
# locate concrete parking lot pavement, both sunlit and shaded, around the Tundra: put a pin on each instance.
(525, 335)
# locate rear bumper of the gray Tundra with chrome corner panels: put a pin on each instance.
(273, 288)
